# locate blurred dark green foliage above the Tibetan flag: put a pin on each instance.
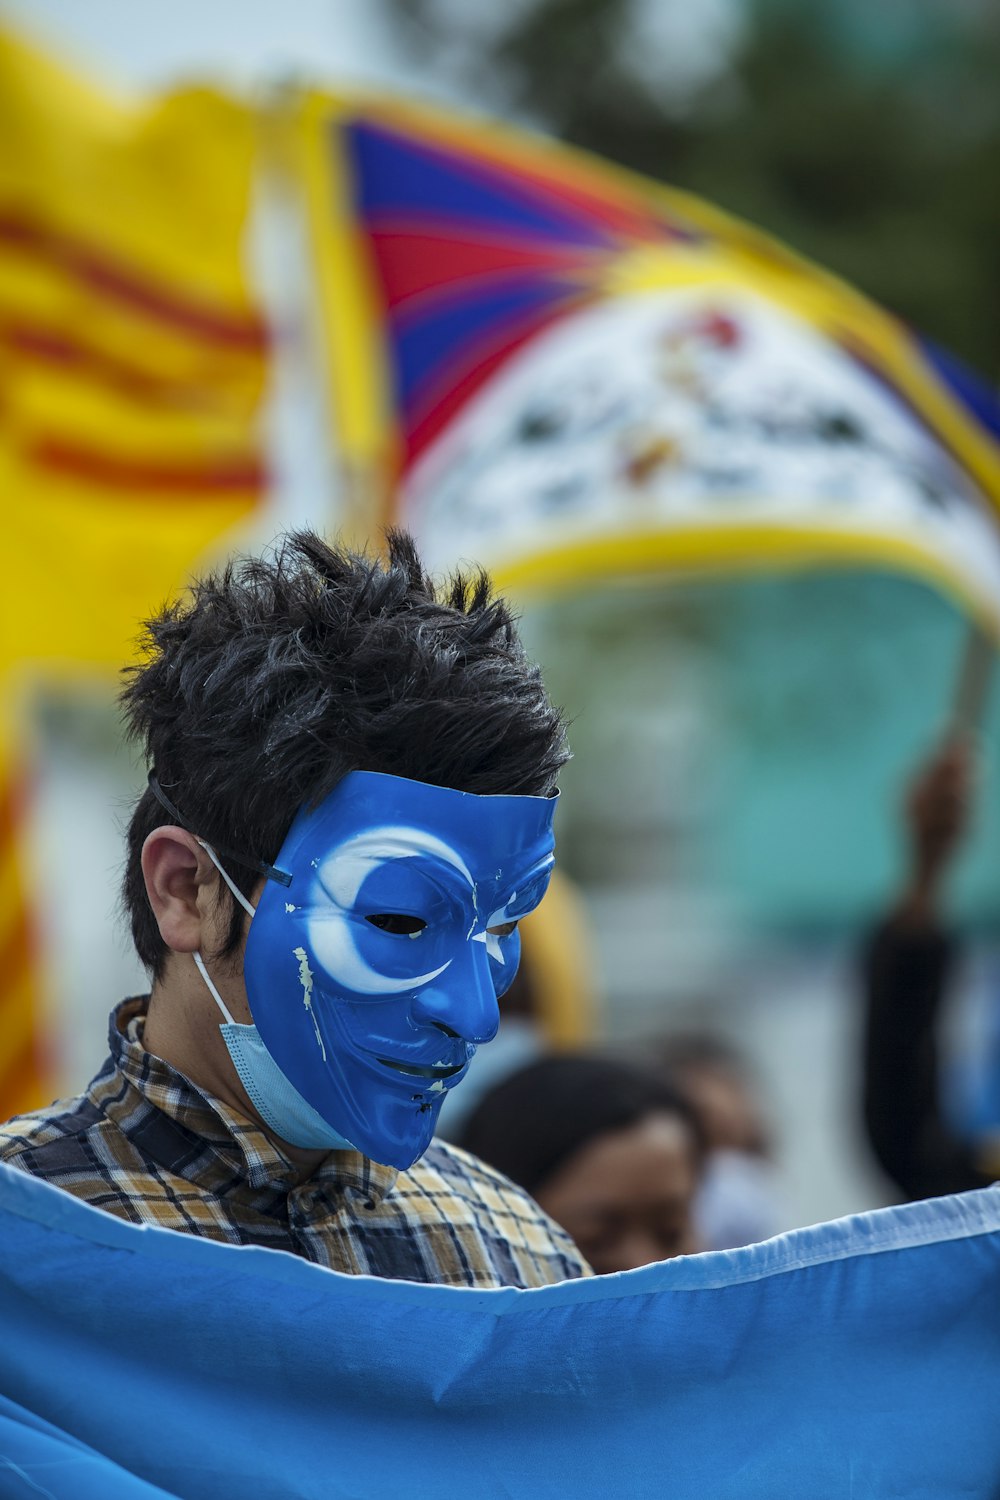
(867, 136)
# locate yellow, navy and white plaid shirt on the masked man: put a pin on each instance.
(149, 1147)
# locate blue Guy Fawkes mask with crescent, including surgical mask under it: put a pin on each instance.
(374, 976)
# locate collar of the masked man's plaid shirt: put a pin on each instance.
(242, 1145)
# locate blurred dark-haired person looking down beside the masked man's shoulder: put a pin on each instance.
(608, 1150)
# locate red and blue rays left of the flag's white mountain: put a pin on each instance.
(473, 259)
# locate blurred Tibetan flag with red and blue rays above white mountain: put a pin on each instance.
(575, 374)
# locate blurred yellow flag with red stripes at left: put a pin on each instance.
(133, 368)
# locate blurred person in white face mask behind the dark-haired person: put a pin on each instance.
(741, 1199)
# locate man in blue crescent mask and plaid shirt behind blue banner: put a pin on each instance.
(349, 811)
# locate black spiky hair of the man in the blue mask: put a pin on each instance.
(271, 680)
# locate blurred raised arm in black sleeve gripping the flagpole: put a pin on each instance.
(908, 974)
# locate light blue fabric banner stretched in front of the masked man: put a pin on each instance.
(854, 1360)
